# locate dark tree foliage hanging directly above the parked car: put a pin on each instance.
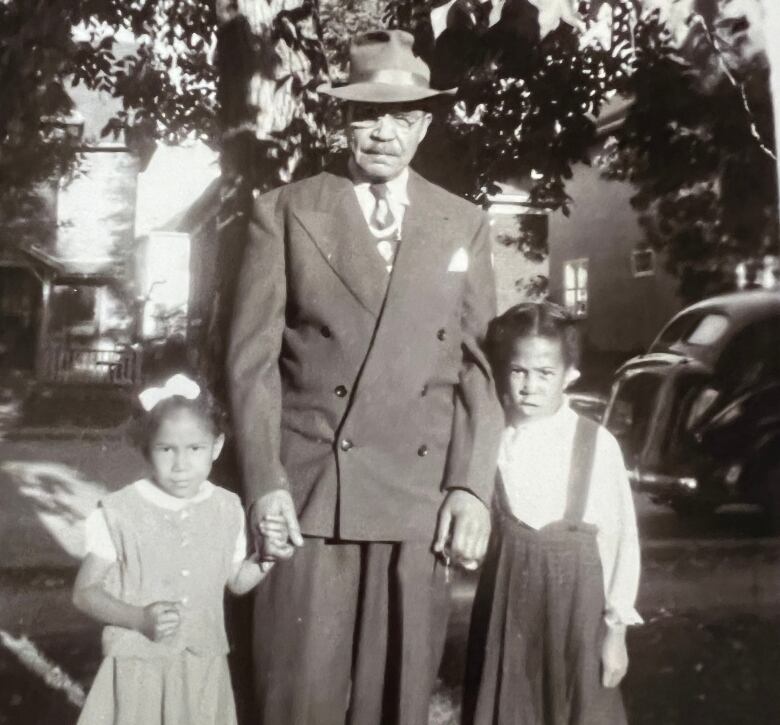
(697, 145)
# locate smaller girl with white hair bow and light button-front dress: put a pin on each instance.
(159, 555)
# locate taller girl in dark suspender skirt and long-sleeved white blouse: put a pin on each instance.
(548, 635)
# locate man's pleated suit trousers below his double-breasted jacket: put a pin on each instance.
(350, 634)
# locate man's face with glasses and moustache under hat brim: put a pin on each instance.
(384, 137)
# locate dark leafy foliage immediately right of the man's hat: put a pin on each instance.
(527, 101)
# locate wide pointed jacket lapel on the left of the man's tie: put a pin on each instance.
(337, 227)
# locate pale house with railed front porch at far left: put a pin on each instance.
(65, 309)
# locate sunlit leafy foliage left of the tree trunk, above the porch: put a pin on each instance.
(166, 84)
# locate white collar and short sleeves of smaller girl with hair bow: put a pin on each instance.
(98, 538)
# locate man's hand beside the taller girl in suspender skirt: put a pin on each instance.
(464, 525)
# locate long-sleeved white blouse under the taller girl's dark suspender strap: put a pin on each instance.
(534, 460)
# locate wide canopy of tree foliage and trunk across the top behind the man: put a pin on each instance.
(525, 111)
